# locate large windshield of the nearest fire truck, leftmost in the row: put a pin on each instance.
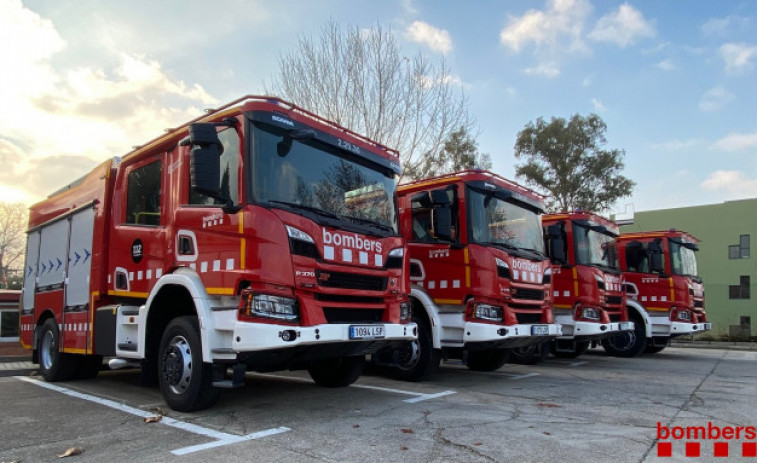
(309, 174)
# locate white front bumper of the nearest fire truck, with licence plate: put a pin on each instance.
(258, 337)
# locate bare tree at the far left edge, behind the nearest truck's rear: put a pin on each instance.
(13, 218)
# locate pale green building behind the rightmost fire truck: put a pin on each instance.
(724, 258)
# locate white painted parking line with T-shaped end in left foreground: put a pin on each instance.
(222, 438)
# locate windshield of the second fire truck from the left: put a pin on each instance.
(497, 221)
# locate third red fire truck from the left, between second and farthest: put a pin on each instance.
(588, 294)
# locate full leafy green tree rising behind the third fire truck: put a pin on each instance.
(565, 160)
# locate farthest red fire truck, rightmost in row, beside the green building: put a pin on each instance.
(665, 294)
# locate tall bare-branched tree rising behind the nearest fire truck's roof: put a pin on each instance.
(361, 80)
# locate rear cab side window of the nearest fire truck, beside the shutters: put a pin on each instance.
(143, 195)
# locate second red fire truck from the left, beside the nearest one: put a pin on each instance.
(480, 281)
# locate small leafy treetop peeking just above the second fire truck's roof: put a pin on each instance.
(459, 152)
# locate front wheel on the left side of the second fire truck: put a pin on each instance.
(417, 359)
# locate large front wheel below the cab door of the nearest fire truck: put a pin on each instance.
(185, 381)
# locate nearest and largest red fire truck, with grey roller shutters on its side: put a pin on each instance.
(258, 237)
